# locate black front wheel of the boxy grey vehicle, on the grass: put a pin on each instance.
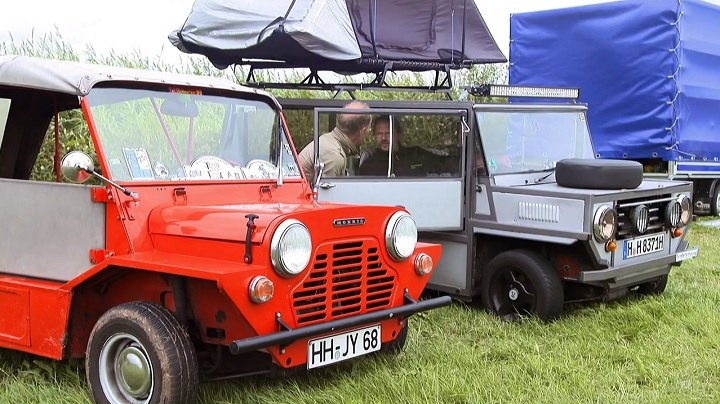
(520, 283)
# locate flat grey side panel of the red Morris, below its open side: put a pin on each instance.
(50, 229)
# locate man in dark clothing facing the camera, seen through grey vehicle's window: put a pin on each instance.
(407, 161)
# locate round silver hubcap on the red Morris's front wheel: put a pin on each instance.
(133, 371)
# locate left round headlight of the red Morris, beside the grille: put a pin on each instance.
(290, 248)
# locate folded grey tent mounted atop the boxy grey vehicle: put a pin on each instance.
(342, 36)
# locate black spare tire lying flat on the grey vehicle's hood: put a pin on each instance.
(598, 173)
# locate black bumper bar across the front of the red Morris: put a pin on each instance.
(291, 335)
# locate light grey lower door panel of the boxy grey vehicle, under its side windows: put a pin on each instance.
(434, 204)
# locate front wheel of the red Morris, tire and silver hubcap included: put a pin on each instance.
(150, 336)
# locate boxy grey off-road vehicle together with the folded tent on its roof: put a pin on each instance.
(529, 220)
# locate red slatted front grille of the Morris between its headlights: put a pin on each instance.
(345, 278)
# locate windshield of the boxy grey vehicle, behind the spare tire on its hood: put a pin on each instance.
(526, 141)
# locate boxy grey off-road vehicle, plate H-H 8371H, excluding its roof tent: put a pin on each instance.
(528, 218)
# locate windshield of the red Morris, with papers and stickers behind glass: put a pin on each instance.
(185, 135)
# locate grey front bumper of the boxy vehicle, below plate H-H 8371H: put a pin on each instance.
(625, 275)
